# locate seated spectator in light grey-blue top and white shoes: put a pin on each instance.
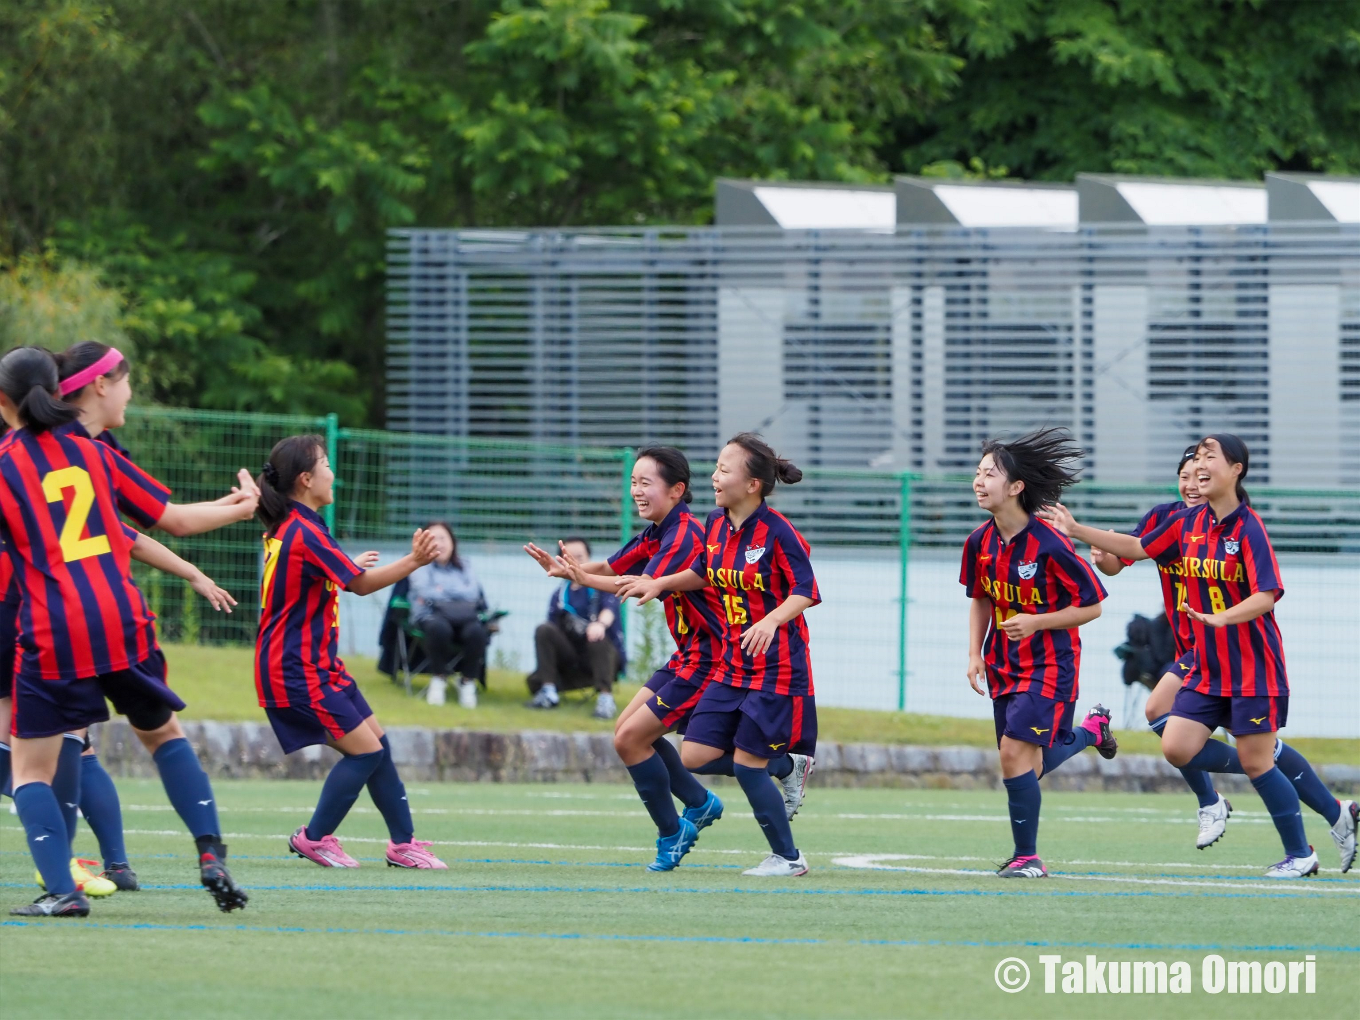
(445, 605)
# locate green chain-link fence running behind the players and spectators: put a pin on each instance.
(890, 634)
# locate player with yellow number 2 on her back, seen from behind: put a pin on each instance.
(85, 630)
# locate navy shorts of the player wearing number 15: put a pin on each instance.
(760, 723)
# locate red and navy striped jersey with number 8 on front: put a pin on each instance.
(1222, 565)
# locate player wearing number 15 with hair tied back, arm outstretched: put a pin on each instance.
(757, 573)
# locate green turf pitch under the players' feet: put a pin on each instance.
(547, 911)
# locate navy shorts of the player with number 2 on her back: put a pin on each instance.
(47, 708)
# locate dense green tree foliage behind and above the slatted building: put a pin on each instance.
(232, 168)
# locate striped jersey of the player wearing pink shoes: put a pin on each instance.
(297, 649)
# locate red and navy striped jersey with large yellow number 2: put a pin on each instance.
(81, 614)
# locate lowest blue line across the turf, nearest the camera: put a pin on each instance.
(721, 940)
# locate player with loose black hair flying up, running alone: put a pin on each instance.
(1030, 595)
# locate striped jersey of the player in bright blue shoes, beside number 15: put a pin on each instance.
(663, 550)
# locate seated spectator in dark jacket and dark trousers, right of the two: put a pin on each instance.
(581, 645)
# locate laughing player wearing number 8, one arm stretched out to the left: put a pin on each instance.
(1231, 583)
